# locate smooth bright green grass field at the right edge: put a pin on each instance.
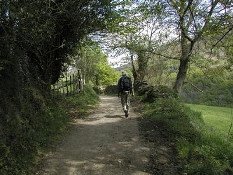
(219, 118)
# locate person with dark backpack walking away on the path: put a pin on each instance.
(125, 88)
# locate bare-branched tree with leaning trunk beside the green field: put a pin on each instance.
(189, 20)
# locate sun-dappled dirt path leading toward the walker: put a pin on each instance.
(105, 143)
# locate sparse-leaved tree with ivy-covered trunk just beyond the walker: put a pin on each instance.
(135, 38)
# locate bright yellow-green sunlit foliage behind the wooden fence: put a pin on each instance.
(94, 64)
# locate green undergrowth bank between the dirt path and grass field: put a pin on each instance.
(199, 150)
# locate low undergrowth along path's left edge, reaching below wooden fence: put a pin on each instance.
(31, 128)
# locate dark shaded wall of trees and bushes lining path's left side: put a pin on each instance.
(36, 38)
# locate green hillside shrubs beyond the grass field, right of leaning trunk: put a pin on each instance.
(213, 86)
